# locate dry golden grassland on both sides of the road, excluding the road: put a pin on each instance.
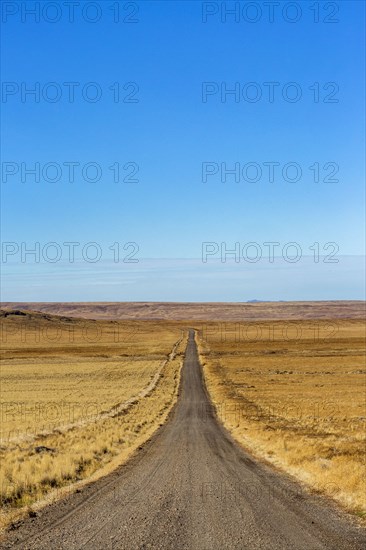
(78, 396)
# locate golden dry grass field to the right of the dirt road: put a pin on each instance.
(294, 394)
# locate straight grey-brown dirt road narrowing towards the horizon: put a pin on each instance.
(191, 488)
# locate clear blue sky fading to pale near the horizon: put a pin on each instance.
(293, 131)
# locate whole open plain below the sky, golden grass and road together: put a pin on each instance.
(256, 443)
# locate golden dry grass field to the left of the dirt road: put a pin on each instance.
(77, 398)
